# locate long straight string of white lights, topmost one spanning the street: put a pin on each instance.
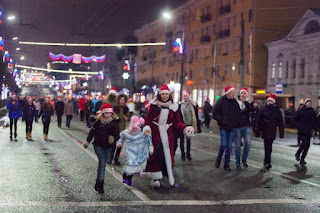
(92, 45)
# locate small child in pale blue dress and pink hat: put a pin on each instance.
(136, 149)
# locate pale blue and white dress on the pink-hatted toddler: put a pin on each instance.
(136, 148)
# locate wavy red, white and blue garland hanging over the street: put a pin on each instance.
(77, 58)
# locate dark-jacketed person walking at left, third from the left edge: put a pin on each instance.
(46, 112)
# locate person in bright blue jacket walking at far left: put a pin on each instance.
(14, 108)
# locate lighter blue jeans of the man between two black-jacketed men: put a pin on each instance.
(245, 133)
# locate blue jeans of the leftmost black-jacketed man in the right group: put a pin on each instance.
(227, 137)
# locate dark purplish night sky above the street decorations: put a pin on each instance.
(85, 21)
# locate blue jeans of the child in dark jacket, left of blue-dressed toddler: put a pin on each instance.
(103, 155)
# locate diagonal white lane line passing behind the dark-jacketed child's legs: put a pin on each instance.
(111, 170)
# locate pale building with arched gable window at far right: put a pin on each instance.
(294, 62)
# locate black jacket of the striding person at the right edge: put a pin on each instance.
(306, 121)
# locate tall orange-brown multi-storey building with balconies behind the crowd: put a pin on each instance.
(223, 43)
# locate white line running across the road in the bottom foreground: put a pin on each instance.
(162, 203)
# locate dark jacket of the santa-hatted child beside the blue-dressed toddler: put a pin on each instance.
(101, 132)
